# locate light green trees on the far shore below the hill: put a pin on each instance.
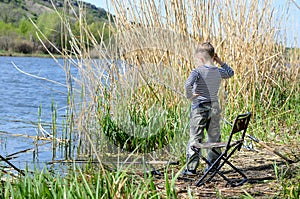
(18, 33)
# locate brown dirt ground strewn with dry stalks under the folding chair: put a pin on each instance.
(258, 165)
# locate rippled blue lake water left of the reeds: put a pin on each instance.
(21, 97)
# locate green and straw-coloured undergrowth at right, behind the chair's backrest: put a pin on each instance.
(275, 114)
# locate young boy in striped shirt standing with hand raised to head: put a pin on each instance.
(202, 88)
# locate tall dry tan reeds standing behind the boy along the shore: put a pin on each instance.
(149, 54)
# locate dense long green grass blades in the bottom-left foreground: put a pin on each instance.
(78, 184)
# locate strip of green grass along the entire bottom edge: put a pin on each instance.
(92, 182)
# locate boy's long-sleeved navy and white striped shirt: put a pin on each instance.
(205, 82)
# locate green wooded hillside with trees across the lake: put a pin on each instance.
(18, 34)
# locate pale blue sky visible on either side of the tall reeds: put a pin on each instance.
(292, 25)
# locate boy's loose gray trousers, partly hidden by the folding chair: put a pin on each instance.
(205, 117)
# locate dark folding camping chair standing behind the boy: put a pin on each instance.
(234, 143)
